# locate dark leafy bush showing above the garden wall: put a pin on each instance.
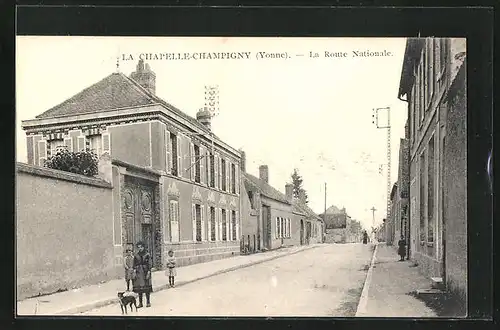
(83, 162)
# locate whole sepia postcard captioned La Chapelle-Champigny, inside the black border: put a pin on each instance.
(190, 176)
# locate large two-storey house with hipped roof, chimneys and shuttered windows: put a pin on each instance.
(178, 184)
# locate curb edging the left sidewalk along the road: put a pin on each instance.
(109, 301)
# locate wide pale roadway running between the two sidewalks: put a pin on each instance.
(325, 281)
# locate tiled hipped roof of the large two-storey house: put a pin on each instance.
(113, 92)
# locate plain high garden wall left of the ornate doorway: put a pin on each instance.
(64, 231)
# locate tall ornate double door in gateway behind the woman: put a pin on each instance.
(137, 204)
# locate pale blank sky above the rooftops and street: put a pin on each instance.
(305, 112)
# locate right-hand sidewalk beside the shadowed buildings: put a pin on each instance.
(387, 287)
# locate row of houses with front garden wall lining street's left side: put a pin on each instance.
(165, 178)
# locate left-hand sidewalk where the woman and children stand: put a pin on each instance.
(96, 296)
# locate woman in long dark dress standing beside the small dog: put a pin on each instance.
(142, 282)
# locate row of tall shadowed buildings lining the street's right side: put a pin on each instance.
(429, 199)
